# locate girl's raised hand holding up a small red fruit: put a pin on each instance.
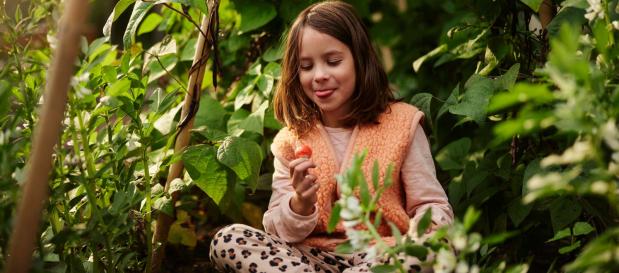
(304, 185)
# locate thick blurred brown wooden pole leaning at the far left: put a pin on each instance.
(47, 134)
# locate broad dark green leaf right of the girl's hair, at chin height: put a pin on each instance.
(478, 92)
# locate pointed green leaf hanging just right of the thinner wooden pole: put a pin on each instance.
(207, 173)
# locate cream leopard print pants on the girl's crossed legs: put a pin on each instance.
(240, 248)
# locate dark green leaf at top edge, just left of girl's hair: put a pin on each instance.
(254, 14)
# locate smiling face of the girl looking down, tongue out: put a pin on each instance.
(327, 74)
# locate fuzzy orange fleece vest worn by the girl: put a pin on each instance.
(387, 142)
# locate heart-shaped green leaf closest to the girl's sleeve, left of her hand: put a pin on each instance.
(243, 156)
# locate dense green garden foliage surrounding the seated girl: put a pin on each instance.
(523, 126)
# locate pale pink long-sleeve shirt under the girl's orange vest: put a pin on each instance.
(418, 175)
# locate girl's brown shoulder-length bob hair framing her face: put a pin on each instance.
(372, 94)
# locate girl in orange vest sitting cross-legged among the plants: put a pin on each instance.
(333, 96)
